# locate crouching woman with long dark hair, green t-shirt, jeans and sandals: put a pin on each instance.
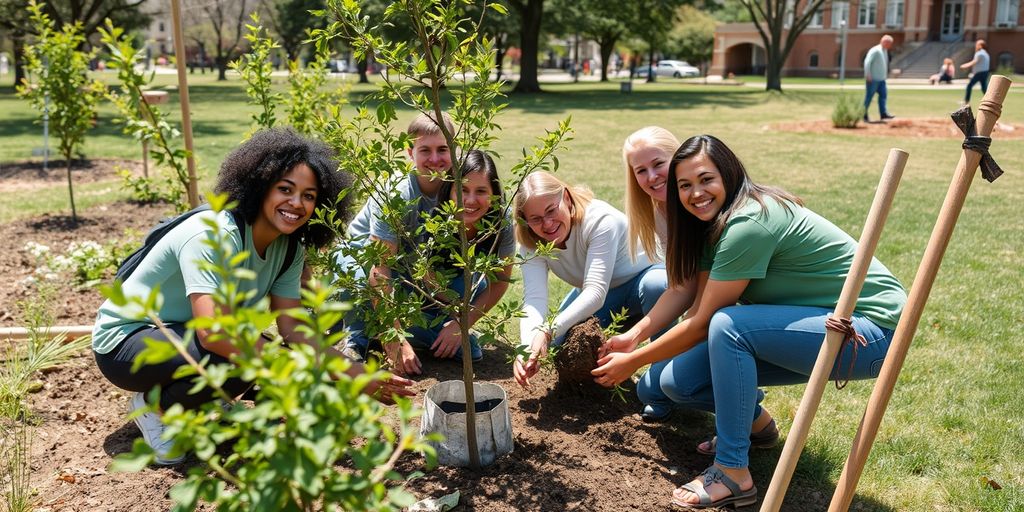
(770, 274)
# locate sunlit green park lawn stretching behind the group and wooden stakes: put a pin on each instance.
(954, 419)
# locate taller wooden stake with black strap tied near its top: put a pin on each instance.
(990, 112)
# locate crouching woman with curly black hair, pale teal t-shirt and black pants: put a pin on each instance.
(278, 180)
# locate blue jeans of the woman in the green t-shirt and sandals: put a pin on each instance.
(750, 347)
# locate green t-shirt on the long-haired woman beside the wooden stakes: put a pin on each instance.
(799, 259)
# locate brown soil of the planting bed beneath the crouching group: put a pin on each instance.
(576, 448)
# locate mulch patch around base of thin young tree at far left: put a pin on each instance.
(30, 176)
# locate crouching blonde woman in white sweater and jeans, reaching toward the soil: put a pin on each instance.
(591, 253)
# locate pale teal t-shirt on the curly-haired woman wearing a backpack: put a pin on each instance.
(172, 266)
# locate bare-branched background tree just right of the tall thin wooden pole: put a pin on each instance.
(222, 23)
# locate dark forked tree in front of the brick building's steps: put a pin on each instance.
(780, 26)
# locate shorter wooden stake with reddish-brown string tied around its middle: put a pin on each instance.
(834, 340)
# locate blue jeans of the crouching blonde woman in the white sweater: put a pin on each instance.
(638, 296)
